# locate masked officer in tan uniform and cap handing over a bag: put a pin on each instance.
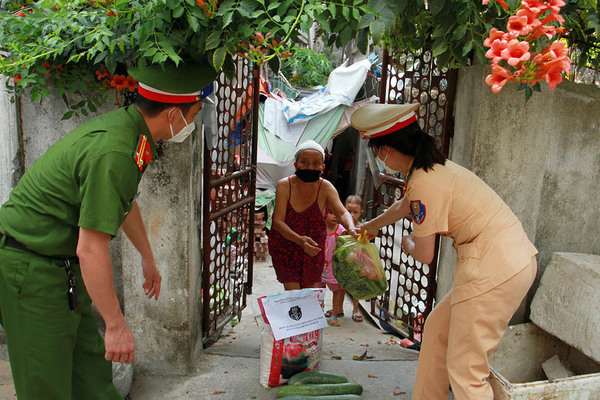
(496, 262)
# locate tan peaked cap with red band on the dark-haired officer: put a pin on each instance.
(374, 120)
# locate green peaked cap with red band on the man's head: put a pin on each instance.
(185, 83)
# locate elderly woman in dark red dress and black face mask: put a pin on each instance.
(298, 232)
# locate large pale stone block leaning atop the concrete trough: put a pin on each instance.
(567, 299)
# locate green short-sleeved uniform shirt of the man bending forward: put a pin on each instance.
(88, 179)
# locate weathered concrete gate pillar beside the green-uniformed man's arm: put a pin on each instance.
(167, 331)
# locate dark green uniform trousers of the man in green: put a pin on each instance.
(55, 353)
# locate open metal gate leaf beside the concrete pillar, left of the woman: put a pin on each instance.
(228, 210)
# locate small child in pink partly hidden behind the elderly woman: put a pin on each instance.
(333, 231)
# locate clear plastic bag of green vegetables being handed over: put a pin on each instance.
(357, 267)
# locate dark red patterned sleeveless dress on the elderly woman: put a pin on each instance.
(290, 262)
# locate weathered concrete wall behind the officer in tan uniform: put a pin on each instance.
(541, 156)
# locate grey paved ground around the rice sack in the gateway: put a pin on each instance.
(229, 369)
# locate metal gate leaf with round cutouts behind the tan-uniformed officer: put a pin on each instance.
(410, 297)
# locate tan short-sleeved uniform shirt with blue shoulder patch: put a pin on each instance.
(489, 239)
